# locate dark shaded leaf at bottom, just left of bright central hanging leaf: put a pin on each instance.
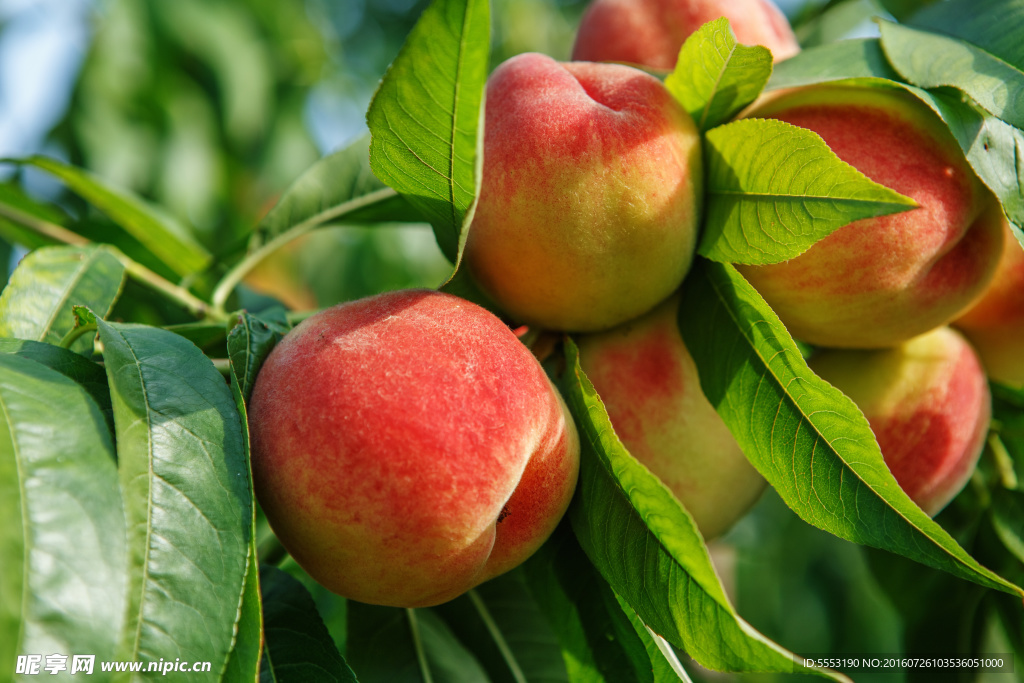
(600, 641)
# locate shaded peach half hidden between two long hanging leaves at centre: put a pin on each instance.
(650, 385)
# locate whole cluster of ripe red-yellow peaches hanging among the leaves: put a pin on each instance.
(409, 447)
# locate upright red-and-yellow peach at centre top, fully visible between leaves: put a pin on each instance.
(590, 199)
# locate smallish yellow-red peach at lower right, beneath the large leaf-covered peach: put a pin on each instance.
(928, 404)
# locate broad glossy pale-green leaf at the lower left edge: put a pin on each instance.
(63, 538)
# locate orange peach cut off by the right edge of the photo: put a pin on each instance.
(996, 323)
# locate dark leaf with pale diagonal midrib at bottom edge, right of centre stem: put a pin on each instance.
(501, 624)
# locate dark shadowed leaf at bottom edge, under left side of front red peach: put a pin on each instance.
(298, 646)
